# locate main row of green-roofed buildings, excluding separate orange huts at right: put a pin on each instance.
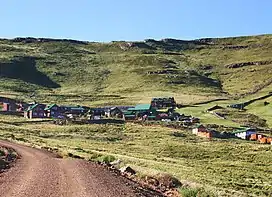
(162, 109)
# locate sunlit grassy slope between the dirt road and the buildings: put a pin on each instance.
(222, 167)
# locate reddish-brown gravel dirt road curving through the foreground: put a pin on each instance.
(41, 174)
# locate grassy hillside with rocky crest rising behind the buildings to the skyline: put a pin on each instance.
(132, 72)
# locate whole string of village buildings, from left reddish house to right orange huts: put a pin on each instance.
(159, 109)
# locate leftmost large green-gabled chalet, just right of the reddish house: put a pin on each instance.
(35, 111)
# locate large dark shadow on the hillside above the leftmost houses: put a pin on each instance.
(24, 68)
